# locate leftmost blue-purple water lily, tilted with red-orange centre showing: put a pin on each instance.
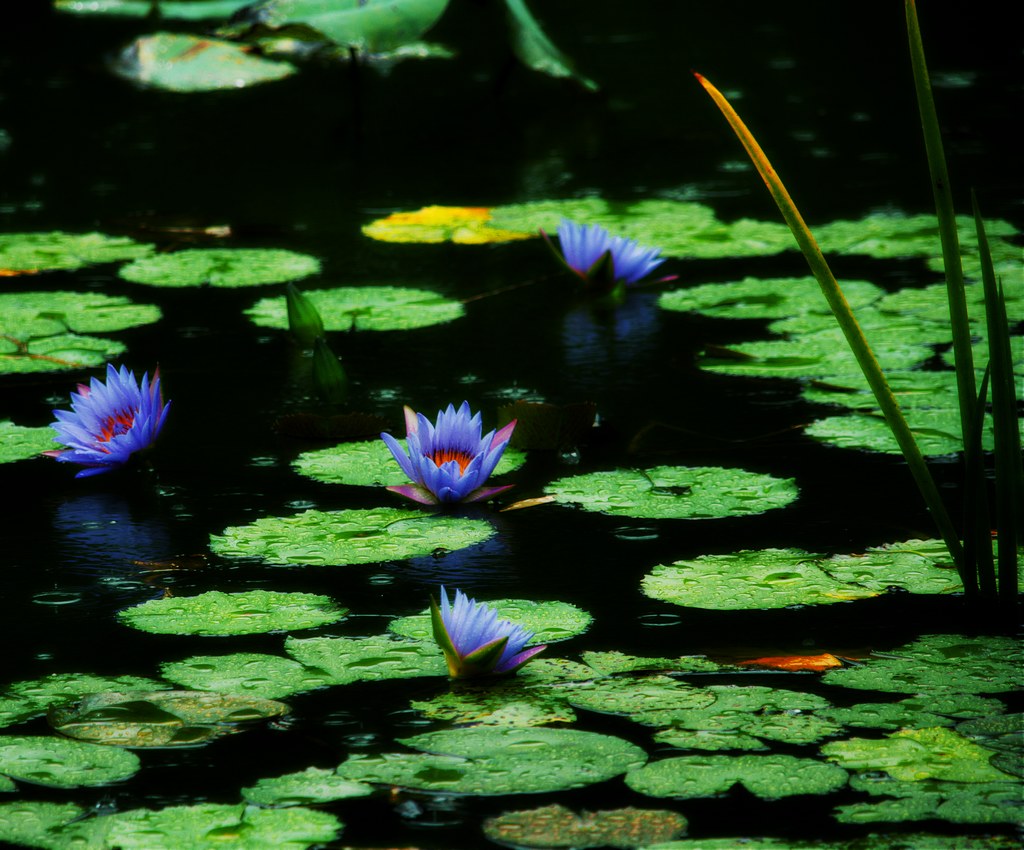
(110, 422)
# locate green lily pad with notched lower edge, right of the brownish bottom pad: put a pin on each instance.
(770, 777)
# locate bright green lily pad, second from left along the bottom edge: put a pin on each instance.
(230, 828)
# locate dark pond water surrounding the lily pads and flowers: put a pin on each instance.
(303, 164)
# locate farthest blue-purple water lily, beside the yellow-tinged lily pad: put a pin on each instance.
(604, 261)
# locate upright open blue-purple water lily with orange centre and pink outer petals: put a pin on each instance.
(448, 461)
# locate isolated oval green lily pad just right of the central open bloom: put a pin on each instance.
(675, 493)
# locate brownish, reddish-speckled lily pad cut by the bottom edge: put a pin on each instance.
(558, 827)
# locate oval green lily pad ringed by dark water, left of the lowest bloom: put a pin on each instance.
(216, 613)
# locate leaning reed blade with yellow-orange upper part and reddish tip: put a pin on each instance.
(851, 329)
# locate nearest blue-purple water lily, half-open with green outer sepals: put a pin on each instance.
(476, 643)
